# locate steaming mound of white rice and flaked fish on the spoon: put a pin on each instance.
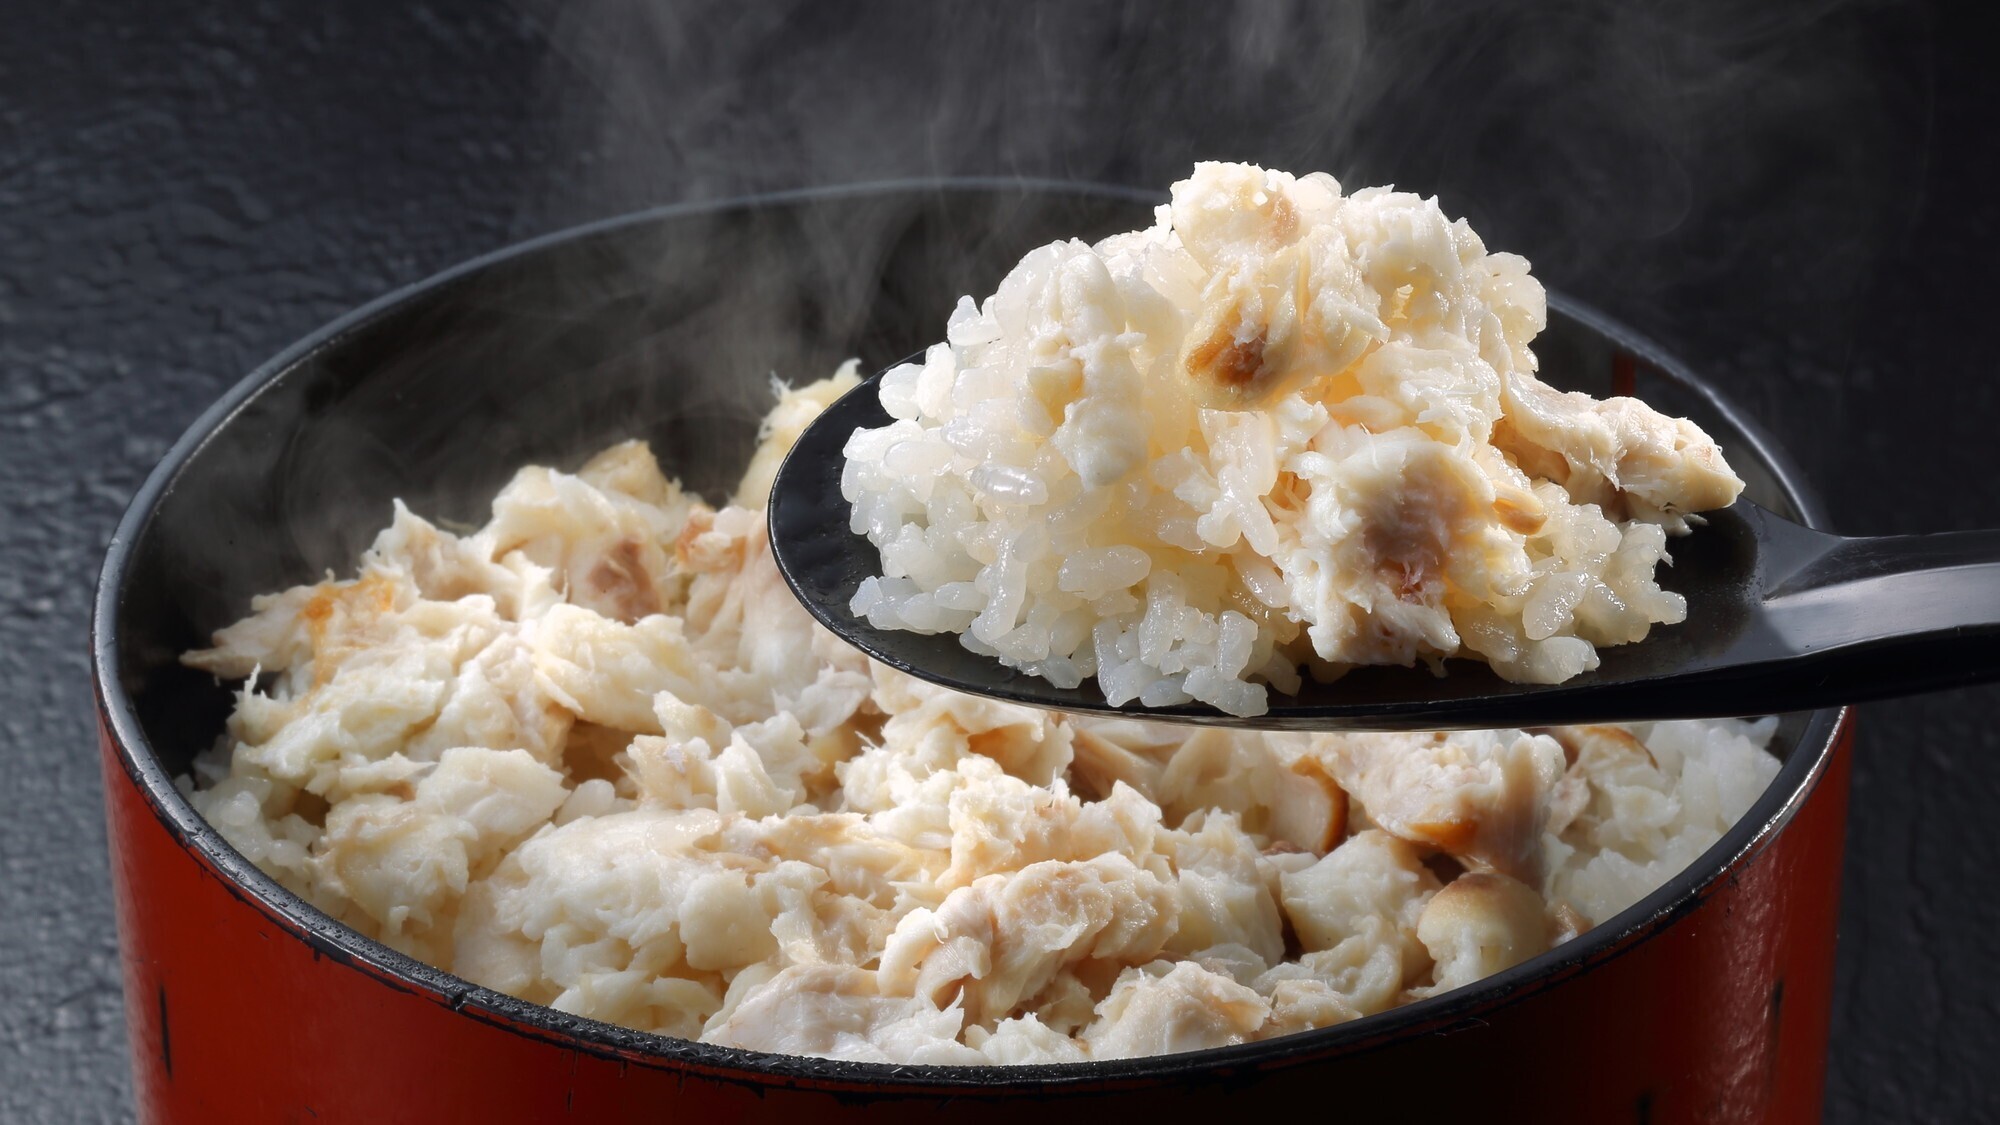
(1281, 429)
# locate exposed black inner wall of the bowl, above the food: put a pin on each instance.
(665, 327)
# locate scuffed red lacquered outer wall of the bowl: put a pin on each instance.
(1717, 1014)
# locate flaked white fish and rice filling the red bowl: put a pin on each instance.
(597, 758)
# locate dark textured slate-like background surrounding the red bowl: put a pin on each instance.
(1797, 197)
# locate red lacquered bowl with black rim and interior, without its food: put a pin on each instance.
(1707, 1002)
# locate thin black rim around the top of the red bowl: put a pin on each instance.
(1619, 936)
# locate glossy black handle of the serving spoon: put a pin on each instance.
(1891, 616)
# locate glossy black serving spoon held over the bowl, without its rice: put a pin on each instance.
(1781, 618)
